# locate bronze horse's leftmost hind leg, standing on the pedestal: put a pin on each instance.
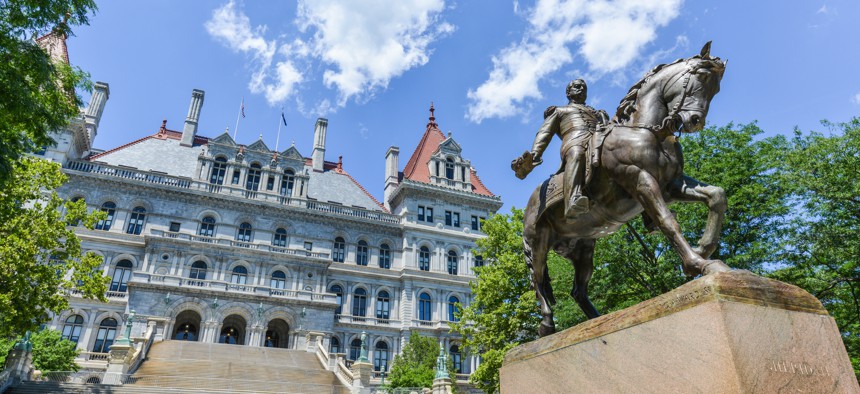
(535, 249)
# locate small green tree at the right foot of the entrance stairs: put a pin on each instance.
(415, 366)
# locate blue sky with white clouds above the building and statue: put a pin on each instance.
(490, 67)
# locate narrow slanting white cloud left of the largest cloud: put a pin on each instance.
(233, 29)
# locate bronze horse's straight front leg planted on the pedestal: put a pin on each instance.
(649, 195)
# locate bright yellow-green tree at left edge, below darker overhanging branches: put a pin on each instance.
(40, 256)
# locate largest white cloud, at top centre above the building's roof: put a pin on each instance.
(369, 43)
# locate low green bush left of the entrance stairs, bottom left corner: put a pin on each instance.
(50, 351)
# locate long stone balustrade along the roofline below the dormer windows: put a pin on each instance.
(191, 184)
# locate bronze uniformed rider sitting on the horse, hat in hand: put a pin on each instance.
(574, 124)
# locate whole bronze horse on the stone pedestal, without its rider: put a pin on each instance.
(639, 167)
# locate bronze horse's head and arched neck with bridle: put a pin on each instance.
(674, 96)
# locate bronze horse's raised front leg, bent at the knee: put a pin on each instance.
(690, 190)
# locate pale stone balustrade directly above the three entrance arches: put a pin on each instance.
(236, 288)
